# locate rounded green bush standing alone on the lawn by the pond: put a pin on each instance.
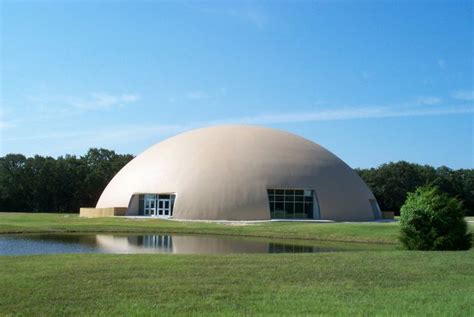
(432, 220)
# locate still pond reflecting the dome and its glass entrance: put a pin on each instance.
(22, 244)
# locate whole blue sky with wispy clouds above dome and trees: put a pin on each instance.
(372, 81)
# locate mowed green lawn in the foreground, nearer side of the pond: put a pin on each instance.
(346, 283)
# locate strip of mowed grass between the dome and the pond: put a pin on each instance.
(344, 232)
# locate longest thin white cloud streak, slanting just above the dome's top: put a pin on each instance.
(415, 108)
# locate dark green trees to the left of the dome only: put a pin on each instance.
(63, 184)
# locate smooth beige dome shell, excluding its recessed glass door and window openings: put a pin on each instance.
(223, 173)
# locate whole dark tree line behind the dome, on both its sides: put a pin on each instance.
(66, 183)
